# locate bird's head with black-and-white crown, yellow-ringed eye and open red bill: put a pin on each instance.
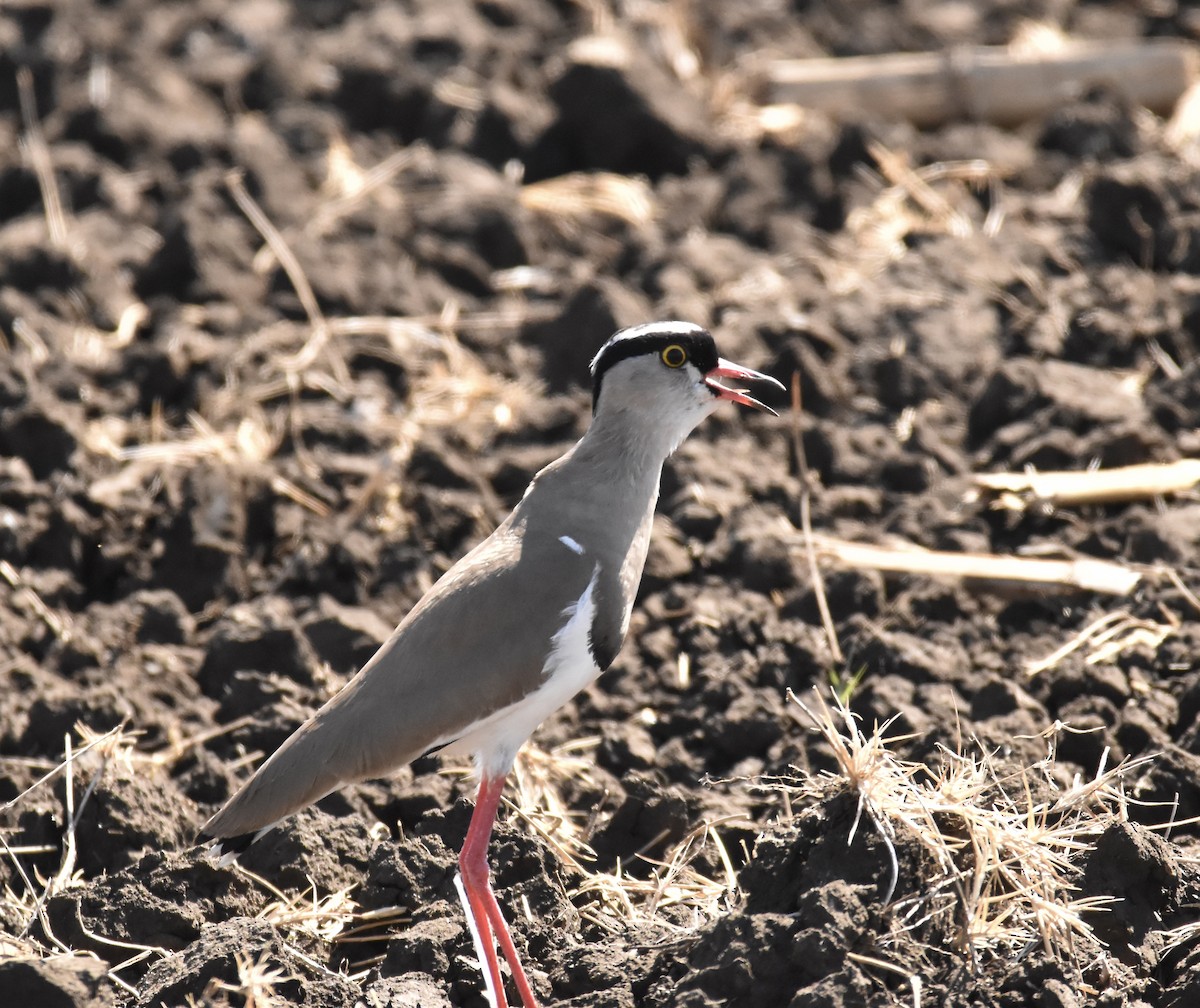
(668, 374)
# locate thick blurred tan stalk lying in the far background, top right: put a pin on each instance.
(992, 85)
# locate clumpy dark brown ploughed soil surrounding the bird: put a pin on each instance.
(225, 476)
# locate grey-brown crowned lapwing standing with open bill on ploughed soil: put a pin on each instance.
(518, 627)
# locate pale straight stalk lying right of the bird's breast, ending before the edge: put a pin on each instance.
(1084, 574)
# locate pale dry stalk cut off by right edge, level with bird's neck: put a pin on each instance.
(1091, 487)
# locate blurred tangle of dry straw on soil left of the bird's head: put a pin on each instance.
(451, 387)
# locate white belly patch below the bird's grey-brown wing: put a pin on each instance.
(569, 668)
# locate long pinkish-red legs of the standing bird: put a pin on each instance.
(484, 908)
